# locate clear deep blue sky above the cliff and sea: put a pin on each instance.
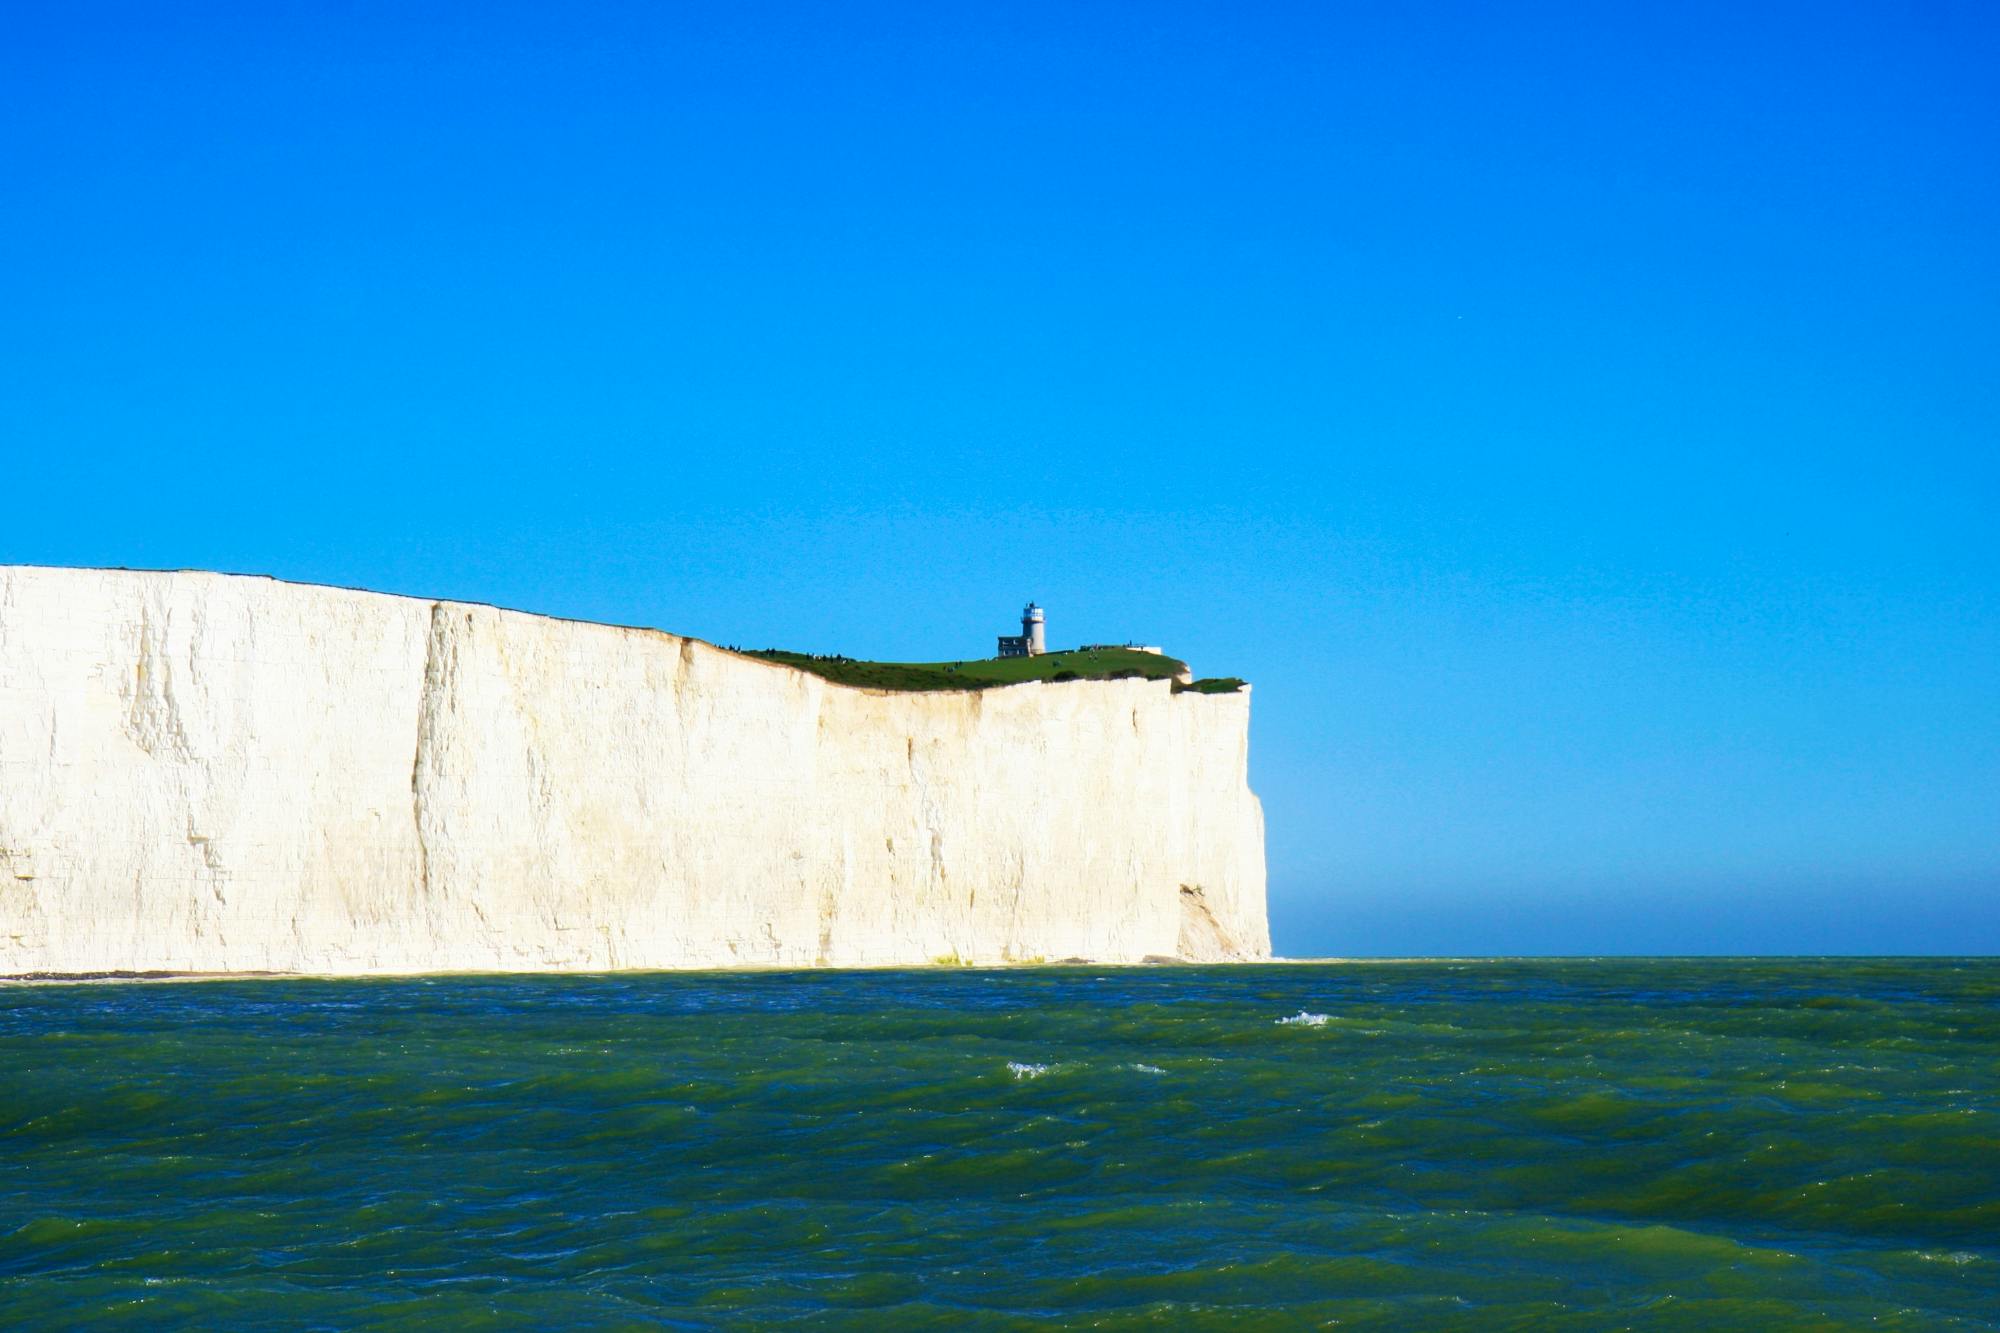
(1577, 421)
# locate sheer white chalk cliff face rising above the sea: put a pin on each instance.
(225, 774)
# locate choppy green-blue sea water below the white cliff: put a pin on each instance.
(1411, 1146)
